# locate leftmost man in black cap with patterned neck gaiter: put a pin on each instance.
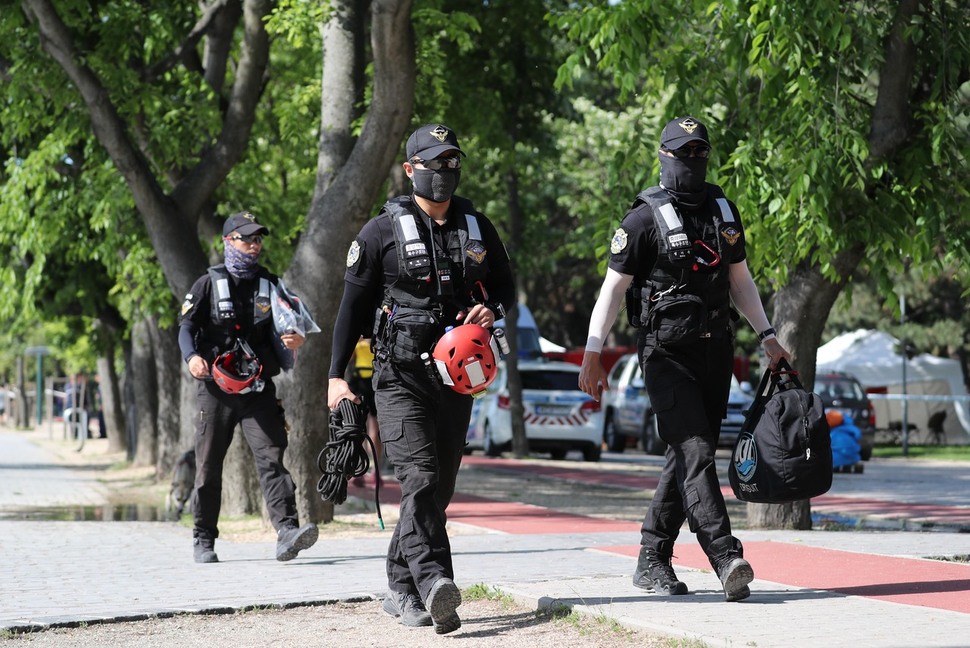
(225, 335)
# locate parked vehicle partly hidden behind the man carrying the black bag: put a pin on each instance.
(628, 418)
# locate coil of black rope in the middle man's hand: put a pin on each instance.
(345, 457)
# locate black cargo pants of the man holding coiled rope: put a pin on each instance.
(423, 427)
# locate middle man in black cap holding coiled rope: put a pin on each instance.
(427, 261)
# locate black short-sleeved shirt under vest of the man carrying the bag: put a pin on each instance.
(635, 245)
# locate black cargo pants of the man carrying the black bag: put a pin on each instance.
(688, 391)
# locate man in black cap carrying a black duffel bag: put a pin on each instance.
(680, 253)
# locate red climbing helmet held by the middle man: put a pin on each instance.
(467, 359)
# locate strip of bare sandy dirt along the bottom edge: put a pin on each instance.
(485, 623)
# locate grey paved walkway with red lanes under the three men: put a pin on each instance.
(813, 588)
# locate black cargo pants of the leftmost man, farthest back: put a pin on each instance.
(262, 422)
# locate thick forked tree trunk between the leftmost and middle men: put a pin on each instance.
(346, 190)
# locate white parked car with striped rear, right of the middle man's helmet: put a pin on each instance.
(558, 416)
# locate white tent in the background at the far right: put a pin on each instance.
(872, 358)
